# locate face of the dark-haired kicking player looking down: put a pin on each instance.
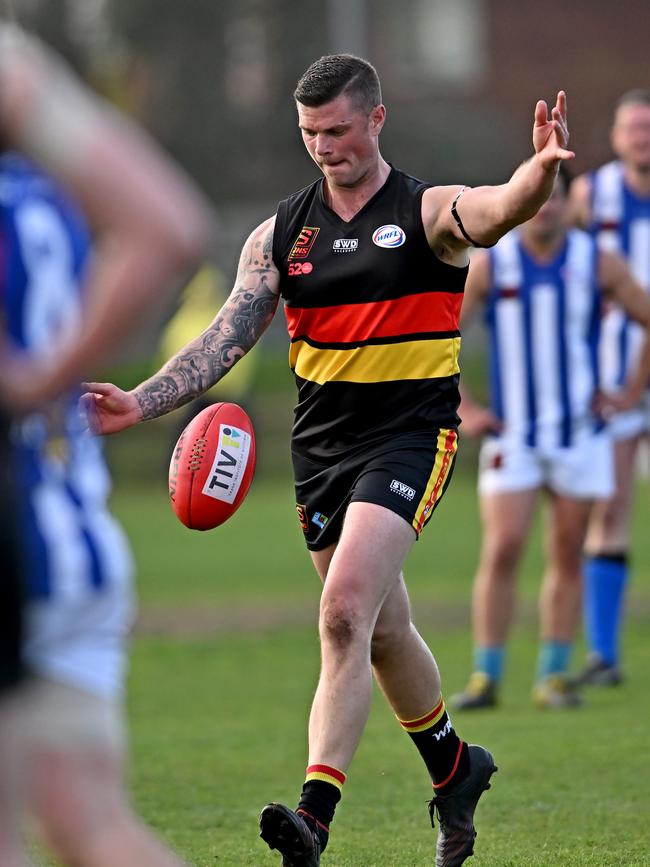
(342, 139)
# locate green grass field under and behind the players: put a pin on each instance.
(225, 660)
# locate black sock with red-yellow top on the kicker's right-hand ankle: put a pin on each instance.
(444, 754)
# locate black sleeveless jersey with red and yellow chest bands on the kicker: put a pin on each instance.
(373, 318)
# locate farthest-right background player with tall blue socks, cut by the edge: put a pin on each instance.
(613, 203)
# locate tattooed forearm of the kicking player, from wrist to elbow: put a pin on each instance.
(206, 360)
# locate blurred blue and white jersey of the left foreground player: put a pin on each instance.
(73, 545)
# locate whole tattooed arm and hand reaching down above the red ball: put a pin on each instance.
(205, 360)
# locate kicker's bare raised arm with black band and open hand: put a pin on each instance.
(485, 214)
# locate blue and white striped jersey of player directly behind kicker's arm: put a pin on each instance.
(543, 322)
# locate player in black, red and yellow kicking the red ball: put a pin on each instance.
(370, 264)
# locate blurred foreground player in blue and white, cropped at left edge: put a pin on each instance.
(65, 306)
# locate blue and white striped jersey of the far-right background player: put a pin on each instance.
(620, 222)
